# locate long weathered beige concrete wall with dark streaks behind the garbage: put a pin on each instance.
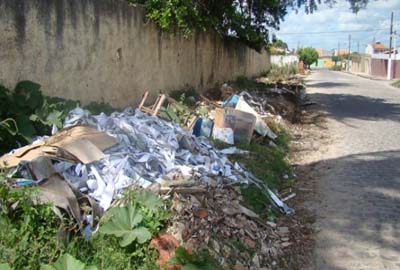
(102, 50)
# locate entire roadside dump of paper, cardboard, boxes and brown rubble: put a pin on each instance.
(94, 158)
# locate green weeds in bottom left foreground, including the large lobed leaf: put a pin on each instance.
(33, 237)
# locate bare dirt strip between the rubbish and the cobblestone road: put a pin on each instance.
(309, 139)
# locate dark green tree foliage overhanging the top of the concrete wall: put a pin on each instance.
(246, 20)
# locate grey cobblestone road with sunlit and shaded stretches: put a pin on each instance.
(358, 216)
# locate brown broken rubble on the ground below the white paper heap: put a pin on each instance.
(218, 221)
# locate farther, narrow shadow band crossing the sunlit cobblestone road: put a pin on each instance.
(342, 106)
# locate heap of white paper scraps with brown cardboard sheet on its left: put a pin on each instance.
(101, 155)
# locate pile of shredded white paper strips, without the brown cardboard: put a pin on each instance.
(149, 150)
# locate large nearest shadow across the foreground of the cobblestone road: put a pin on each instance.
(368, 217)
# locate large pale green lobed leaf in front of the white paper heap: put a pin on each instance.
(122, 224)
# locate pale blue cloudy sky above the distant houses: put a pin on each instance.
(298, 27)
